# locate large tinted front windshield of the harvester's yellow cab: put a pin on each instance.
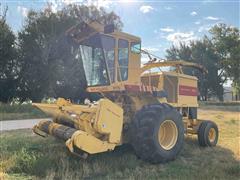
(97, 55)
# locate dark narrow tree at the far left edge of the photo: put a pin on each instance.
(8, 62)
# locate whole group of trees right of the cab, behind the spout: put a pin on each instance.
(219, 53)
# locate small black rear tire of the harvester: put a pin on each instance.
(203, 134)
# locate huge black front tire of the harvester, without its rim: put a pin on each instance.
(144, 133)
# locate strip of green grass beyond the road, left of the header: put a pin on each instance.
(12, 112)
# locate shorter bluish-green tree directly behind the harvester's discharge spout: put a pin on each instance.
(201, 52)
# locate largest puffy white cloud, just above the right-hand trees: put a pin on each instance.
(178, 37)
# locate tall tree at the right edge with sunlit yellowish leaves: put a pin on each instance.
(226, 40)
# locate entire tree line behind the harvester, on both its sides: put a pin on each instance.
(39, 61)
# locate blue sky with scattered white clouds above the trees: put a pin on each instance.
(159, 23)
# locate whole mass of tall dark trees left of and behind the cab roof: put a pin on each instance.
(39, 61)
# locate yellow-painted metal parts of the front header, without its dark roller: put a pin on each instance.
(100, 124)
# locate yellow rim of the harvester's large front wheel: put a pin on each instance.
(167, 134)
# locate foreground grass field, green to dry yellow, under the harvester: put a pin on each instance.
(27, 156)
